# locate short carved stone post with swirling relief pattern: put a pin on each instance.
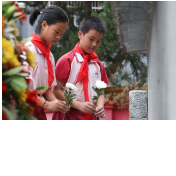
(138, 105)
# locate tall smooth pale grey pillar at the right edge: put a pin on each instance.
(162, 62)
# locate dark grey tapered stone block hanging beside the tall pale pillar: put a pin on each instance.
(132, 19)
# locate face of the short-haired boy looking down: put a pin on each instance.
(90, 41)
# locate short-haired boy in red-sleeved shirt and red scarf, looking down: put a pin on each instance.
(82, 68)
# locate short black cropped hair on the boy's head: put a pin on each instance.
(92, 22)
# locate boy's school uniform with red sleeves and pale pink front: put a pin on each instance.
(67, 70)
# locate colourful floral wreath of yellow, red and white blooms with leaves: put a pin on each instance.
(18, 101)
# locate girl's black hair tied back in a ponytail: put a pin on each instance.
(51, 15)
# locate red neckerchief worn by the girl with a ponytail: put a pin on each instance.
(46, 52)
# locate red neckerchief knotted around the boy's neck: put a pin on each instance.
(83, 72)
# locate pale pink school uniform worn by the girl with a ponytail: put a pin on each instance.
(39, 76)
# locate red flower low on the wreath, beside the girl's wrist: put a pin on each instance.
(32, 99)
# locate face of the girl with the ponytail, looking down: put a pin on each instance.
(53, 33)
